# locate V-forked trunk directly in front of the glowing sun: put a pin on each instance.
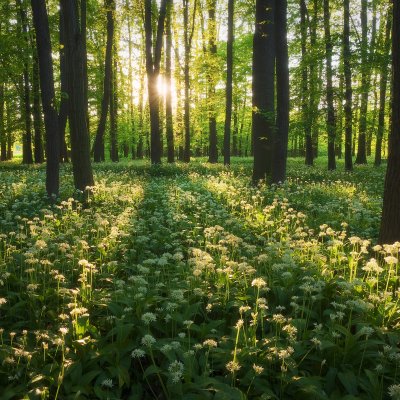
(153, 60)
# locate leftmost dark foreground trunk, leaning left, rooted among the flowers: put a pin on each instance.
(43, 44)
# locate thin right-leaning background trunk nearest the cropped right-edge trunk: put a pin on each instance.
(384, 69)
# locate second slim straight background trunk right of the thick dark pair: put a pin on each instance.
(331, 120)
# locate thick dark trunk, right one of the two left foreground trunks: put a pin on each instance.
(80, 142)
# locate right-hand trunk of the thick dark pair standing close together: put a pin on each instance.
(282, 94)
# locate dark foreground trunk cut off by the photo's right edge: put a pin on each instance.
(390, 224)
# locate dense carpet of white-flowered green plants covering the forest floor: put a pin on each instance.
(186, 282)
